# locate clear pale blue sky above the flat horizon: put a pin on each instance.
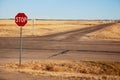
(62, 9)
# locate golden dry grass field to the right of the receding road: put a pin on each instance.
(109, 33)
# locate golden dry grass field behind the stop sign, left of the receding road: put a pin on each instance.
(8, 28)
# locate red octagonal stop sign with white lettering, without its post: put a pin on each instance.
(21, 19)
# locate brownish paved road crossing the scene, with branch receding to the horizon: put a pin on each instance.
(62, 46)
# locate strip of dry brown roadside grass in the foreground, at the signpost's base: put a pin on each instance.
(68, 70)
